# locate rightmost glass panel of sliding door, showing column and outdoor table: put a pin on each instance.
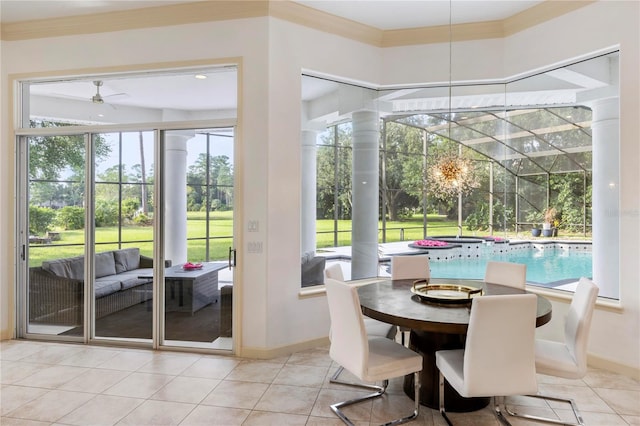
(199, 195)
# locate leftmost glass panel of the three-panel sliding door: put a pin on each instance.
(56, 242)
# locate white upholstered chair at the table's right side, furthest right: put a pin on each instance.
(568, 359)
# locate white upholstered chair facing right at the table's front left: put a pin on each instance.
(369, 358)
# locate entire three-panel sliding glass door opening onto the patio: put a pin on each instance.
(90, 255)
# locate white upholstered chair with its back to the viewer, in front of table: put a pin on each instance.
(499, 357)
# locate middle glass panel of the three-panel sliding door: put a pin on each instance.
(123, 262)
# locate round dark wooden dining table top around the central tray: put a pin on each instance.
(392, 301)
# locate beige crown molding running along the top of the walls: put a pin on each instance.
(221, 10)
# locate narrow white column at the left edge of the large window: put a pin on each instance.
(308, 196)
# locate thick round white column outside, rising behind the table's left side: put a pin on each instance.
(364, 239)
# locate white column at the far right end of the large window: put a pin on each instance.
(605, 129)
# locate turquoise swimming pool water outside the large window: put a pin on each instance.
(547, 267)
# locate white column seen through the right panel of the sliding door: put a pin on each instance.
(175, 225)
